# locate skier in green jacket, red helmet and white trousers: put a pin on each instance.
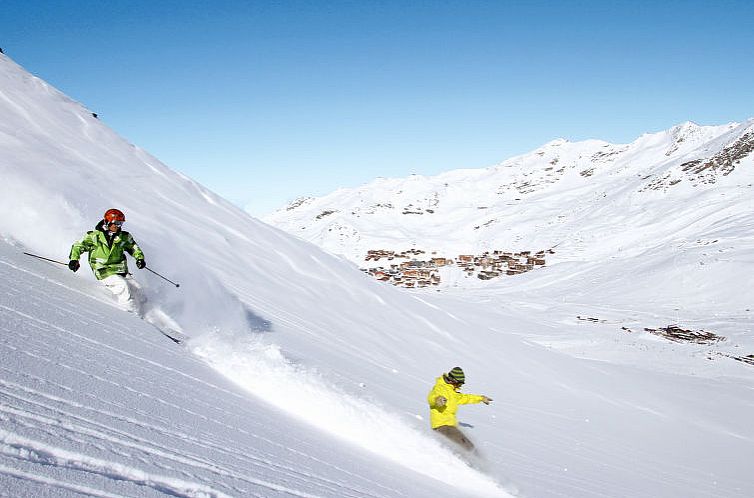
(107, 246)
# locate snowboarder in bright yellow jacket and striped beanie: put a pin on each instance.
(444, 399)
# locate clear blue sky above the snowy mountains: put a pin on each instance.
(269, 100)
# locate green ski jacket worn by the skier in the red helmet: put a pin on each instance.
(106, 257)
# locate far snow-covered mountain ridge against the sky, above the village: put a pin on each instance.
(470, 210)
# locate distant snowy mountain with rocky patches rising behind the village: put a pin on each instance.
(591, 200)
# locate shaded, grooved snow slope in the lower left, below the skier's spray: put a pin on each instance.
(95, 403)
